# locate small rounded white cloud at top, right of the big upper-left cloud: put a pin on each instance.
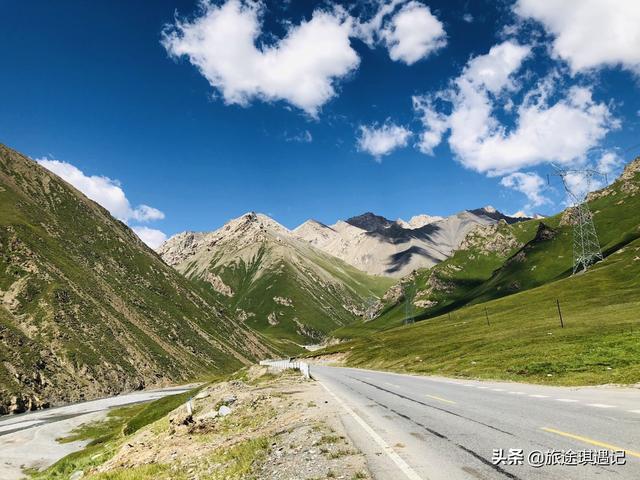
(413, 34)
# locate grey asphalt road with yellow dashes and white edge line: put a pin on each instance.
(436, 428)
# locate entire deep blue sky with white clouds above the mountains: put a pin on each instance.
(198, 112)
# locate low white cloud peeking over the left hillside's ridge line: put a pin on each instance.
(104, 191)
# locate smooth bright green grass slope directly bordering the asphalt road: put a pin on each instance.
(524, 341)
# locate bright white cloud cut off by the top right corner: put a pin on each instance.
(590, 33)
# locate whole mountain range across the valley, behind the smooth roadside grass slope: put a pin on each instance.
(86, 309)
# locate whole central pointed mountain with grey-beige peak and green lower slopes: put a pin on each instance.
(279, 285)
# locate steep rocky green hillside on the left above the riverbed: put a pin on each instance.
(86, 309)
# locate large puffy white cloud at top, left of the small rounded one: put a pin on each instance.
(300, 69)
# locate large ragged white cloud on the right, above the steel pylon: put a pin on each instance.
(563, 132)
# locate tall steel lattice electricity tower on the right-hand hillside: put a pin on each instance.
(586, 247)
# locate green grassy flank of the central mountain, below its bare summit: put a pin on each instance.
(320, 292)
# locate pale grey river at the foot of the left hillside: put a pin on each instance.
(29, 439)
